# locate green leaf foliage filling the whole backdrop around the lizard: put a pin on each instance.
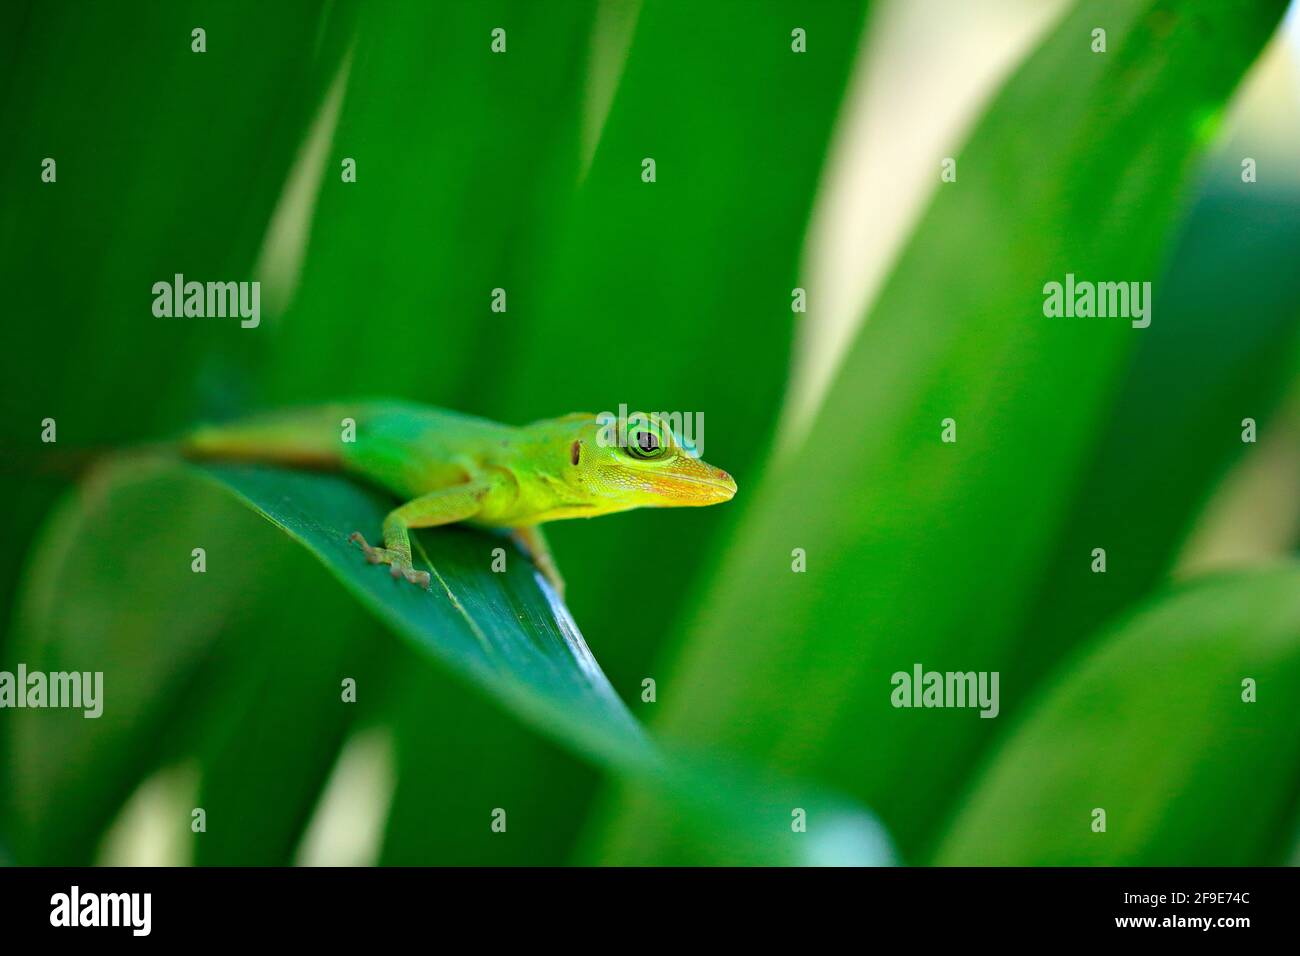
(474, 172)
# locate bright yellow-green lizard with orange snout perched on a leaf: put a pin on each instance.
(450, 468)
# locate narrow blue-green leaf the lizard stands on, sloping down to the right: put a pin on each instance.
(509, 635)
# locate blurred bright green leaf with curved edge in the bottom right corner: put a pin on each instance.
(1151, 726)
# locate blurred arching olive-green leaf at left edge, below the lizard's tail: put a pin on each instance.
(111, 590)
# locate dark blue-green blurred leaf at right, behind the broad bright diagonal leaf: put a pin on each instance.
(1176, 426)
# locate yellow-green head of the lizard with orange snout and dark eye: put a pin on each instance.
(644, 464)
